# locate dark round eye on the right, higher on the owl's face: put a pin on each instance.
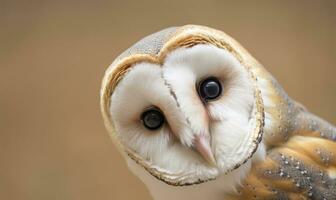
(210, 88)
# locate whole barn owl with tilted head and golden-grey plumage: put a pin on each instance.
(197, 117)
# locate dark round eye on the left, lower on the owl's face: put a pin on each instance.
(152, 119)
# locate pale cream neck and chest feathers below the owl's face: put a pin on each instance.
(226, 184)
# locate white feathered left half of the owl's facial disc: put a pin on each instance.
(147, 88)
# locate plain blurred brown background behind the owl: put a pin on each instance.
(53, 54)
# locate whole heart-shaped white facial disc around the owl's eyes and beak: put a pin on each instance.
(172, 88)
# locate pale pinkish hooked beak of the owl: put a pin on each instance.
(202, 145)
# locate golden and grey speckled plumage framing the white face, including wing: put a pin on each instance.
(300, 161)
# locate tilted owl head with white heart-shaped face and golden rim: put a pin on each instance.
(183, 103)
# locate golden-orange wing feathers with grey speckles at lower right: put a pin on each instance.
(304, 167)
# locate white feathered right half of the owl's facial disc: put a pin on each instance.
(229, 114)
